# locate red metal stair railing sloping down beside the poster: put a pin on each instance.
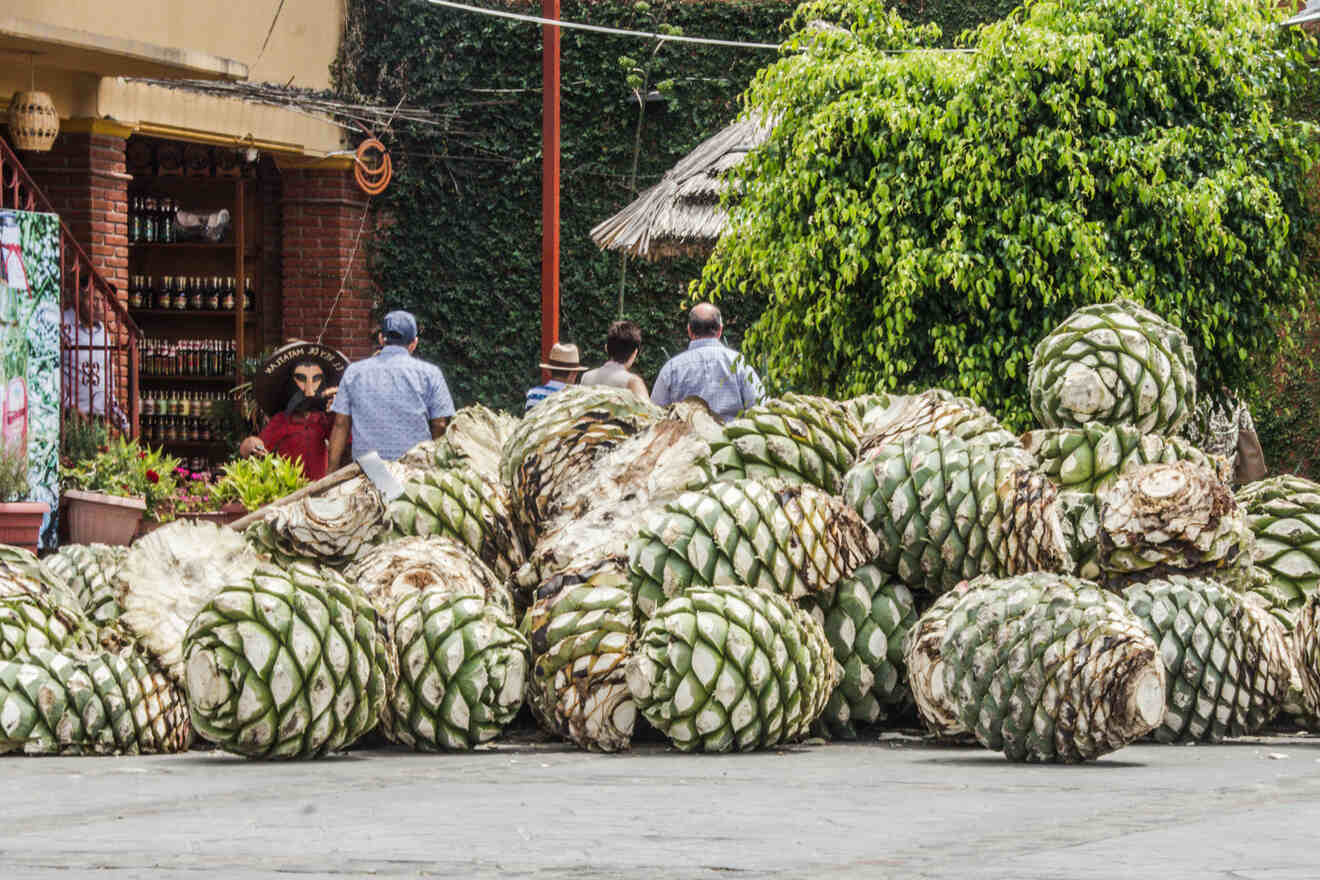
(98, 340)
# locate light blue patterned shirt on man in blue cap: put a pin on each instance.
(393, 399)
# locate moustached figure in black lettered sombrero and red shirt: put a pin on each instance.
(295, 387)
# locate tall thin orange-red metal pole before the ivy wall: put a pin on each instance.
(550, 180)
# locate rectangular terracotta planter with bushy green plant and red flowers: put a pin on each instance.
(110, 494)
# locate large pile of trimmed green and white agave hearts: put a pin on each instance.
(812, 567)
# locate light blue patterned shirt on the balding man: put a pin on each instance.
(712, 371)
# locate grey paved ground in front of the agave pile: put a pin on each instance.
(896, 808)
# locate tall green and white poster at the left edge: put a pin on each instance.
(30, 353)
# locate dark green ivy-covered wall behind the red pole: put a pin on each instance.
(460, 242)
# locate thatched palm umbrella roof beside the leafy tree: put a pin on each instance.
(682, 216)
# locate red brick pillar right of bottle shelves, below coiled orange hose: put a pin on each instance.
(323, 213)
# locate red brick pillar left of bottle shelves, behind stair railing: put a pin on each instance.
(88, 184)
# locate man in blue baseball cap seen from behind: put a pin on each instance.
(391, 402)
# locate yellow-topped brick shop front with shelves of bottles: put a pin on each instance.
(224, 226)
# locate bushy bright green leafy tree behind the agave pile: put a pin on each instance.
(923, 217)
